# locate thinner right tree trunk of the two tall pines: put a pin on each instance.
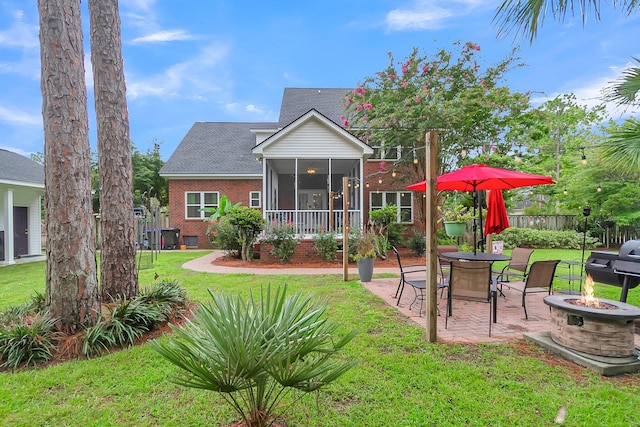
(117, 257)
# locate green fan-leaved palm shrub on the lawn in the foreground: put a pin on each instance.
(254, 352)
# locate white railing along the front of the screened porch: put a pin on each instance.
(308, 223)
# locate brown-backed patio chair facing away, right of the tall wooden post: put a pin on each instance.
(471, 281)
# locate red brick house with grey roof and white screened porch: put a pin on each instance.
(292, 169)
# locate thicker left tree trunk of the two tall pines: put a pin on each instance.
(71, 280)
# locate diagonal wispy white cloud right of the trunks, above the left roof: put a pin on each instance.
(190, 79)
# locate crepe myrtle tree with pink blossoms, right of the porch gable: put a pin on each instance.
(453, 93)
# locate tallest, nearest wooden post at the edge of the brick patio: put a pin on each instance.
(431, 167)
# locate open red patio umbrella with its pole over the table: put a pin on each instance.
(478, 177)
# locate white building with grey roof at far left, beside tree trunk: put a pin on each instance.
(21, 191)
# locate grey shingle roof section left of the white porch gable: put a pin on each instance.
(217, 148)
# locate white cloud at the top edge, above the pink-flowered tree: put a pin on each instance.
(430, 14)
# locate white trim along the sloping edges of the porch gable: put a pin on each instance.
(313, 115)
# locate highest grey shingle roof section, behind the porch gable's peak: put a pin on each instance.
(297, 101)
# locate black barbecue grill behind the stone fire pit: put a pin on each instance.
(617, 269)
